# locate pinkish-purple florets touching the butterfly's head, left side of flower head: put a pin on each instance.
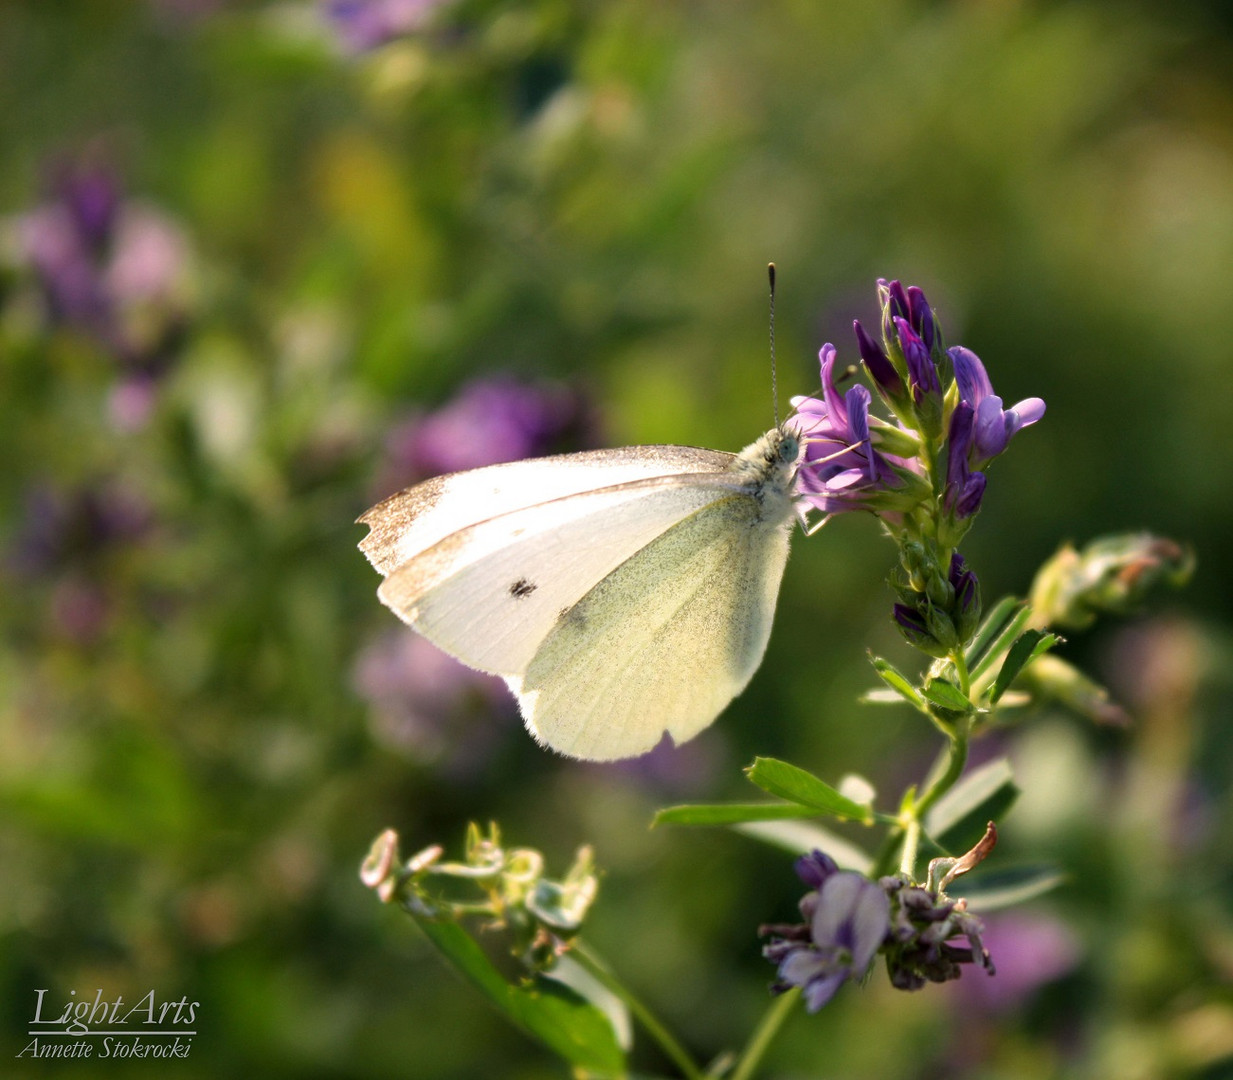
(842, 468)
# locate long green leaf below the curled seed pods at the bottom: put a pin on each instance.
(544, 1009)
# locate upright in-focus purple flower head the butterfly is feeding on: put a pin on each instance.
(920, 473)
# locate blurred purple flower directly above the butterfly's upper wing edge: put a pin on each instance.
(488, 422)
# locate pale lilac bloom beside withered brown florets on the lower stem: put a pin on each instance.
(848, 920)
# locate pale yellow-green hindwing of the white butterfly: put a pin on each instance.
(665, 642)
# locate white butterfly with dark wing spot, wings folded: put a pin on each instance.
(621, 594)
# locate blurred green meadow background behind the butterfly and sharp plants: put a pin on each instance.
(303, 229)
